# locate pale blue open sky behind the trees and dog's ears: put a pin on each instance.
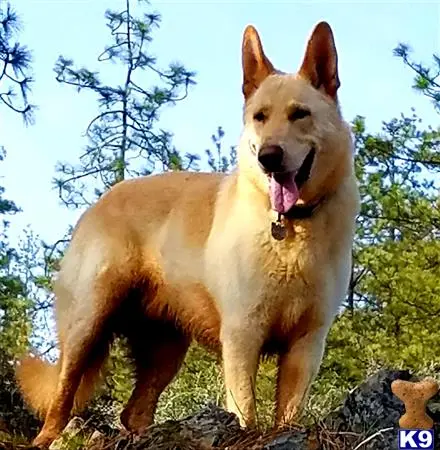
(206, 37)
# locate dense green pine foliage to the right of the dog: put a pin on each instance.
(393, 319)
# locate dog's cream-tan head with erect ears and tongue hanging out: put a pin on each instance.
(295, 145)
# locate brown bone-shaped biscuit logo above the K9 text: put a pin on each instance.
(415, 396)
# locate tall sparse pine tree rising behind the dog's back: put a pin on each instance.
(124, 138)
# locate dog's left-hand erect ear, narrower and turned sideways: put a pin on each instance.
(256, 66)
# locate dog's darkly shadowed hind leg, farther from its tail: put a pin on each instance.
(158, 349)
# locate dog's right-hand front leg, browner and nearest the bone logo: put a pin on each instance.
(296, 372)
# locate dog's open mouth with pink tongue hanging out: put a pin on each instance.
(285, 186)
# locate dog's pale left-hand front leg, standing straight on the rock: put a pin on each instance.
(241, 351)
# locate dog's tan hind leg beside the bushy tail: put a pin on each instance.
(85, 334)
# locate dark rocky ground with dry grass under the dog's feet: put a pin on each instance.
(367, 420)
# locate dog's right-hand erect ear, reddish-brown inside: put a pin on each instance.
(320, 64)
